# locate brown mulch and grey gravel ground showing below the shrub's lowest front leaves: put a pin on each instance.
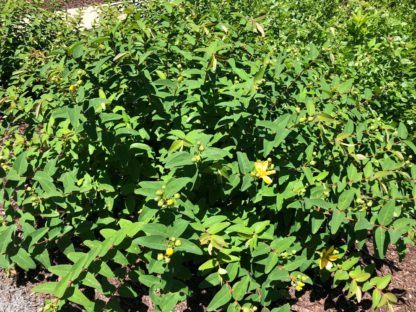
(15, 292)
